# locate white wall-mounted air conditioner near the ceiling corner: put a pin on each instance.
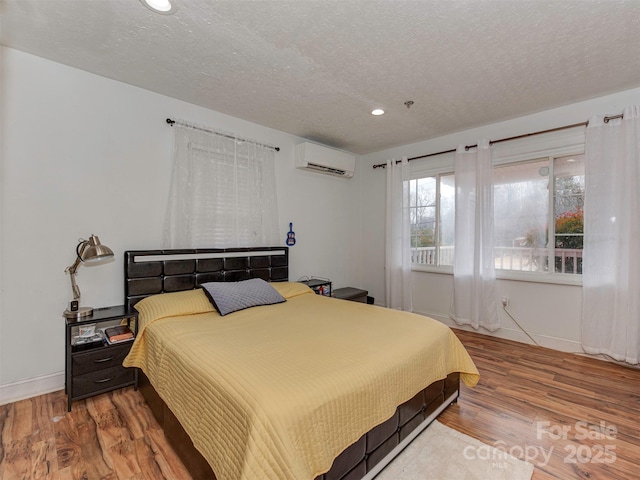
(311, 156)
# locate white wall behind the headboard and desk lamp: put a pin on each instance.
(83, 154)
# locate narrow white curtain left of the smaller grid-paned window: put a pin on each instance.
(398, 237)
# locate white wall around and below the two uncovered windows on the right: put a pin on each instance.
(550, 313)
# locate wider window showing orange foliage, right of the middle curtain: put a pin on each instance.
(538, 213)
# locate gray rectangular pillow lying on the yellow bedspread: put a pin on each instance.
(228, 297)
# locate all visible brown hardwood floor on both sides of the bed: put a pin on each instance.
(572, 416)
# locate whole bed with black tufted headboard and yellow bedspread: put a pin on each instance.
(305, 388)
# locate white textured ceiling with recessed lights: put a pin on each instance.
(316, 68)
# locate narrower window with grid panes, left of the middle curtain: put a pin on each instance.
(432, 212)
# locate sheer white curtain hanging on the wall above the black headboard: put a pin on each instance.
(223, 192)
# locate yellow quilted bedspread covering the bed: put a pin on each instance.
(278, 391)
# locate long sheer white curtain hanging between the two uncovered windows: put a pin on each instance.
(474, 278)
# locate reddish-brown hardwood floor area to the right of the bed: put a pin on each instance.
(562, 411)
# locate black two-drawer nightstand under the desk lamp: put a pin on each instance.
(96, 368)
